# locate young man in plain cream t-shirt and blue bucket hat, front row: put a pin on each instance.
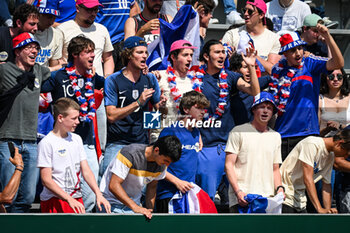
(254, 168)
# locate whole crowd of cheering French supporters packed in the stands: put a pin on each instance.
(265, 112)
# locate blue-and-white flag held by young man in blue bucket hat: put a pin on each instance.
(260, 204)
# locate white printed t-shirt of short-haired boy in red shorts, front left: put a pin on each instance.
(63, 156)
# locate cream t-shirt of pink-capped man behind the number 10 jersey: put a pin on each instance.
(96, 32)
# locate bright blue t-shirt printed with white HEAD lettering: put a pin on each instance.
(186, 167)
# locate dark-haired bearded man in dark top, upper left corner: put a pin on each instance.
(25, 19)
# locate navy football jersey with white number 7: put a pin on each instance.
(121, 92)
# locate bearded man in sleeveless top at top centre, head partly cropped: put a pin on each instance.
(146, 24)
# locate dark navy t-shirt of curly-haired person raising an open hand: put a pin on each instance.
(241, 103)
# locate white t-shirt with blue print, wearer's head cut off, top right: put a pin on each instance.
(287, 19)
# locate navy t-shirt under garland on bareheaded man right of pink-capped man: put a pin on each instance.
(215, 136)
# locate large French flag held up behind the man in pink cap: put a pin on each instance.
(185, 25)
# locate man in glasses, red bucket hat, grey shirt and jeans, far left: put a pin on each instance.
(19, 91)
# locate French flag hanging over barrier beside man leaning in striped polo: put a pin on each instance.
(195, 201)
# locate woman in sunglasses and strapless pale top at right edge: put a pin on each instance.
(334, 114)
